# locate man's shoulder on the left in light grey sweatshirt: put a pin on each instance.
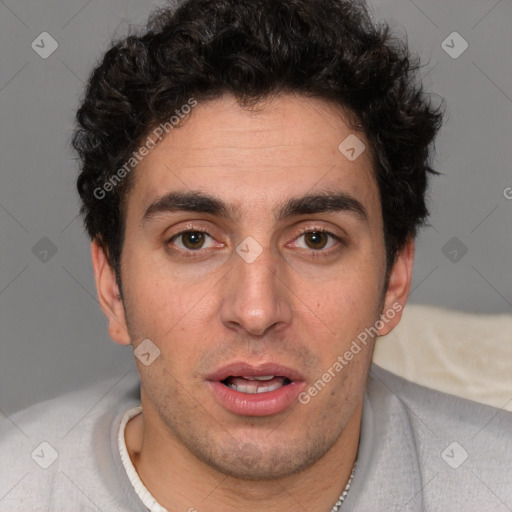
(53, 450)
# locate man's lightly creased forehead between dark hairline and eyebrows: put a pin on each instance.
(256, 158)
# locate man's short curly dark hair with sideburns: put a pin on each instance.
(253, 49)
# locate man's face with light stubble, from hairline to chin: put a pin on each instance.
(307, 278)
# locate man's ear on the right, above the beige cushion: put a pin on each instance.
(398, 289)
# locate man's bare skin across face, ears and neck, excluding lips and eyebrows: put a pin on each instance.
(295, 305)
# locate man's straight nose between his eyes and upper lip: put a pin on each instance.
(255, 296)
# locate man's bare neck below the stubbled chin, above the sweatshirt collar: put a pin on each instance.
(180, 481)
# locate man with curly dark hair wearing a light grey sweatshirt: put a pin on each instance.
(253, 175)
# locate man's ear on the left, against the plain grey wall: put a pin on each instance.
(108, 295)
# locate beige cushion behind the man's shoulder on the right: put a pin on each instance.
(464, 354)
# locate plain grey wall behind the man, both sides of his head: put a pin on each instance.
(53, 333)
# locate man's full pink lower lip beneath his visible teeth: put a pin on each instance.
(256, 404)
